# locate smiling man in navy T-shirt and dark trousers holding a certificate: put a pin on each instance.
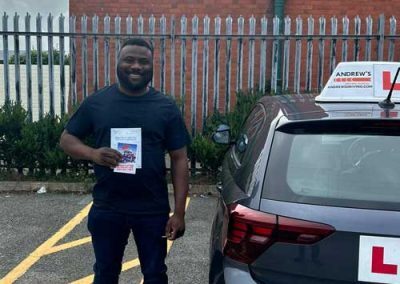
(136, 201)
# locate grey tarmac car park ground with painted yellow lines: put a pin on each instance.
(44, 239)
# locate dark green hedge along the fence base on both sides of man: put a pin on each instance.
(35, 145)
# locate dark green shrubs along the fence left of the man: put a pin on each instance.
(35, 146)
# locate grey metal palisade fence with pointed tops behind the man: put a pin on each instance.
(202, 62)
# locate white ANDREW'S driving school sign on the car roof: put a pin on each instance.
(368, 81)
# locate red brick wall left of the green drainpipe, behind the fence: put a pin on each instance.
(222, 8)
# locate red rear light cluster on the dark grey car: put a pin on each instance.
(251, 232)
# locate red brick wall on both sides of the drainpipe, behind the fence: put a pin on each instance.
(223, 8)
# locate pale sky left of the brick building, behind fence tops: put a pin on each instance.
(33, 7)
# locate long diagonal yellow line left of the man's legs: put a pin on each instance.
(42, 250)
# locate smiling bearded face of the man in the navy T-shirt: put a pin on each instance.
(135, 68)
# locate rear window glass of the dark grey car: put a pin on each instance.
(351, 170)
